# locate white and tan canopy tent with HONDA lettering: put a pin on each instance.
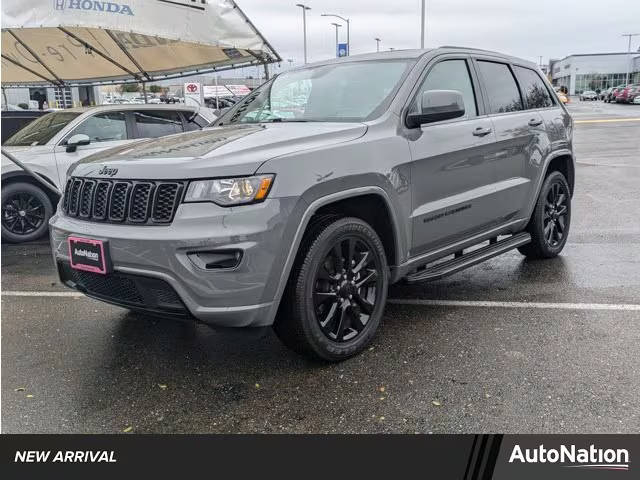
(90, 42)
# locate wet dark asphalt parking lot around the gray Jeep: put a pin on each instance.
(509, 346)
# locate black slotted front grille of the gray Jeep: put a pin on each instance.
(119, 201)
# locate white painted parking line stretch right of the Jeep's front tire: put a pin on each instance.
(540, 305)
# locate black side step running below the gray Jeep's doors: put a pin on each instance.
(466, 260)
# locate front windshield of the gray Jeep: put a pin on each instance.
(343, 92)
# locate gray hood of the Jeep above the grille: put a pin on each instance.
(215, 152)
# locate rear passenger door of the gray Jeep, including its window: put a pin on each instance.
(520, 138)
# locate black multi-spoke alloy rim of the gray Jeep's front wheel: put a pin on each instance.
(346, 287)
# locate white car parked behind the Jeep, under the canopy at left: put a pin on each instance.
(50, 144)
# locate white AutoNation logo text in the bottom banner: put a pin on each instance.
(591, 458)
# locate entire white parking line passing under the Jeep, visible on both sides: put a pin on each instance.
(627, 307)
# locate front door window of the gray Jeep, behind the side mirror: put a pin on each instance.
(450, 75)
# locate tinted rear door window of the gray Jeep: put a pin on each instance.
(502, 89)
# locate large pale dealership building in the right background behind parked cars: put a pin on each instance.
(594, 71)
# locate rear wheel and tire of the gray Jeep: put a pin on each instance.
(551, 219)
